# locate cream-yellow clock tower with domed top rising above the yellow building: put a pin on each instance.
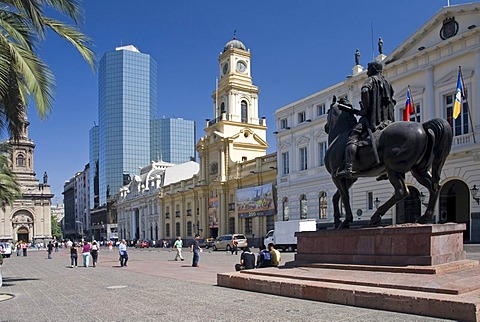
(236, 133)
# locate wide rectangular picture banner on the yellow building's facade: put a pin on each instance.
(256, 201)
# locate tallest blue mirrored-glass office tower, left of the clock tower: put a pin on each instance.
(127, 103)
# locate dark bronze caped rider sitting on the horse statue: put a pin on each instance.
(376, 113)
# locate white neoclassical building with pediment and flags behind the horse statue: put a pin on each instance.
(427, 62)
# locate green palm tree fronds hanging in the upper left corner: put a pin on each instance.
(23, 75)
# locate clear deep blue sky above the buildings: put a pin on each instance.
(298, 47)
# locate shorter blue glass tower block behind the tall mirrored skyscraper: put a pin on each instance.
(173, 140)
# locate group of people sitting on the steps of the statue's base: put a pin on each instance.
(267, 257)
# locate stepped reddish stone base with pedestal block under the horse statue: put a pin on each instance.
(416, 269)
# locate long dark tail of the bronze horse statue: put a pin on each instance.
(441, 134)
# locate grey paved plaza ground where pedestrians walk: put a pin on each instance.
(154, 287)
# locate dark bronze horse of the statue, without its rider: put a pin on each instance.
(402, 147)
